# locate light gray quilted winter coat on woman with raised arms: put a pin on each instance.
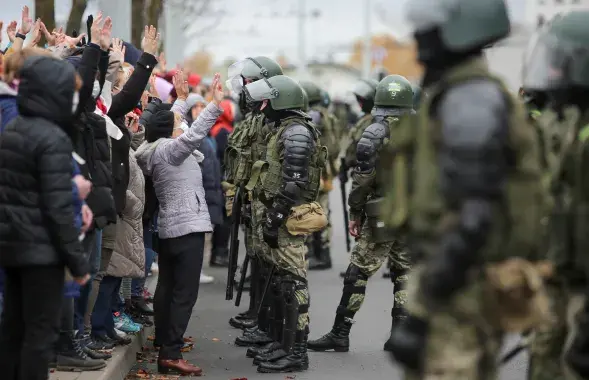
(177, 178)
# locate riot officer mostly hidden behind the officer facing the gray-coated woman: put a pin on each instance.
(327, 124)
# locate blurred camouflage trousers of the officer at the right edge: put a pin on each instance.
(550, 343)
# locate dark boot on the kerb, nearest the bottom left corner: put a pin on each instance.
(71, 357)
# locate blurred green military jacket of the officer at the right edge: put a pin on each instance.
(567, 140)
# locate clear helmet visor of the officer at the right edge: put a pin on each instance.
(546, 64)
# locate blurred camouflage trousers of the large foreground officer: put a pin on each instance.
(461, 342)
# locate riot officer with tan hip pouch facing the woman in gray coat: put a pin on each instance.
(286, 182)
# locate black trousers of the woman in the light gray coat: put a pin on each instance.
(180, 263)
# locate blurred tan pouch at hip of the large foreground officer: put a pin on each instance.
(515, 294)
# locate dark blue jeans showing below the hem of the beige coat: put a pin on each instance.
(102, 318)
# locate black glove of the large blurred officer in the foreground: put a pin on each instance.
(408, 340)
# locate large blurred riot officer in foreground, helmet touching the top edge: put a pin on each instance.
(473, 200)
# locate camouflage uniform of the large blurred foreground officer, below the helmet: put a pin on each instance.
(454, 329)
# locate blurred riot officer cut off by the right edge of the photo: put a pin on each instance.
(556, 88)
